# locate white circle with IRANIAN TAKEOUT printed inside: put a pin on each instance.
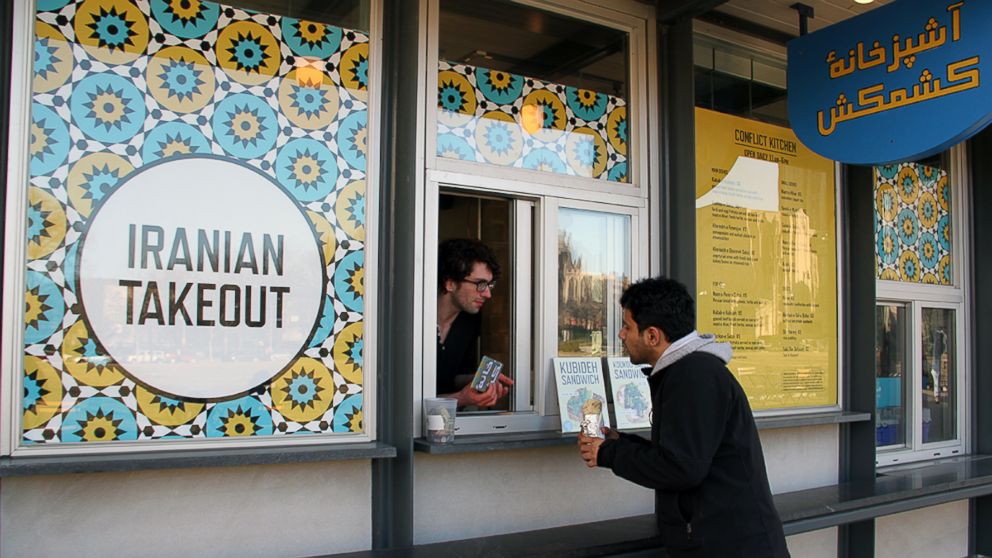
(201, 277)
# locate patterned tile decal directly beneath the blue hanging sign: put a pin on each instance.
(913, 224)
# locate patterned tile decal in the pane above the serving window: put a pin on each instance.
(504, 119)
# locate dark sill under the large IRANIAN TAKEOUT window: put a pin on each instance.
(144, 461)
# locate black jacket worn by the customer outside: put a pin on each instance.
(705, 464)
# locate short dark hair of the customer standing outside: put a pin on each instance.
(662, 303)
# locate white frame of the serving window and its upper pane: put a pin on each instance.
(546, 190)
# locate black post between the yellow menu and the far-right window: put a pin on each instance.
(857, 439)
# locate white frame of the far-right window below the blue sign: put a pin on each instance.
(916, 296)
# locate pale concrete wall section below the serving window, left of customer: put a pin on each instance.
(478, 494)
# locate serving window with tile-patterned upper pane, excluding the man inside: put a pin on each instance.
(532, 148)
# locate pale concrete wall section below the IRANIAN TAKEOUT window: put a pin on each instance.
(265, 511)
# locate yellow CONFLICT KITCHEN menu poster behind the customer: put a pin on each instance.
(766, 257)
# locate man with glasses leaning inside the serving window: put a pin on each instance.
(466, 276)
